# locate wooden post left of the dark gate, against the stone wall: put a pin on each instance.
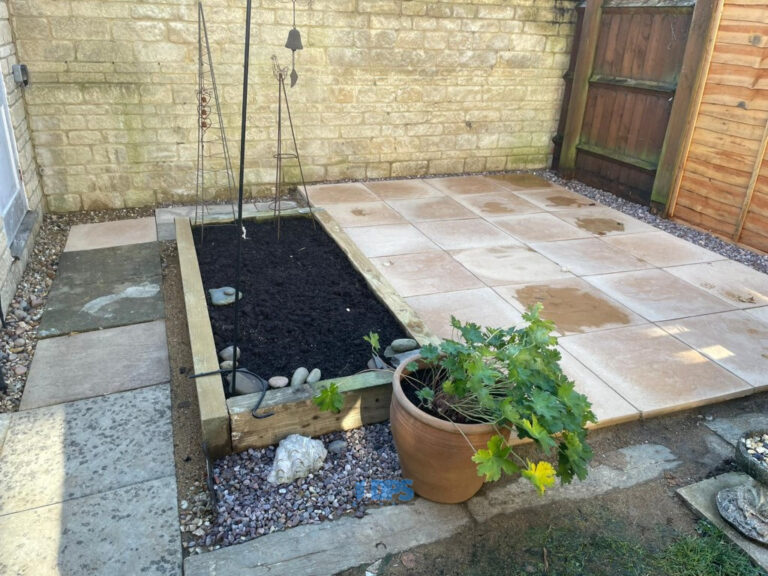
(590, 32)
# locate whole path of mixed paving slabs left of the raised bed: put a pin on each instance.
(89, 483)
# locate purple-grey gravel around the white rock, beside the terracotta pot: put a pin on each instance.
(249, 506)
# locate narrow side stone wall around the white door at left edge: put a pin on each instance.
(11, 269)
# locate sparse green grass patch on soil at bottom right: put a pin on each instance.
(607, 547)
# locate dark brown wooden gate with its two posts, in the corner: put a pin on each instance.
(628, 90)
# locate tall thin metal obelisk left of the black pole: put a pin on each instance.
(207, 90)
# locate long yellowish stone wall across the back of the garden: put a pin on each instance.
(387, 88)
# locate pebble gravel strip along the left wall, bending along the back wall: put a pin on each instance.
(18, 339)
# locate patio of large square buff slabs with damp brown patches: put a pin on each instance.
(648, 323)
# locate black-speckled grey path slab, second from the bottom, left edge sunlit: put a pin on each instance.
(73, 450)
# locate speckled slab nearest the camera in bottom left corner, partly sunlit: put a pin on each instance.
(132, 530)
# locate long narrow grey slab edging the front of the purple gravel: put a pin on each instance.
(330, 547)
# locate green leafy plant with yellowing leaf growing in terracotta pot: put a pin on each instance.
(510, 378)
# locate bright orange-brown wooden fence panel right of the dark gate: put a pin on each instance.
(724, 182)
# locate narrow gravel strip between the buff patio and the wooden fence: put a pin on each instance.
(709, 241)
